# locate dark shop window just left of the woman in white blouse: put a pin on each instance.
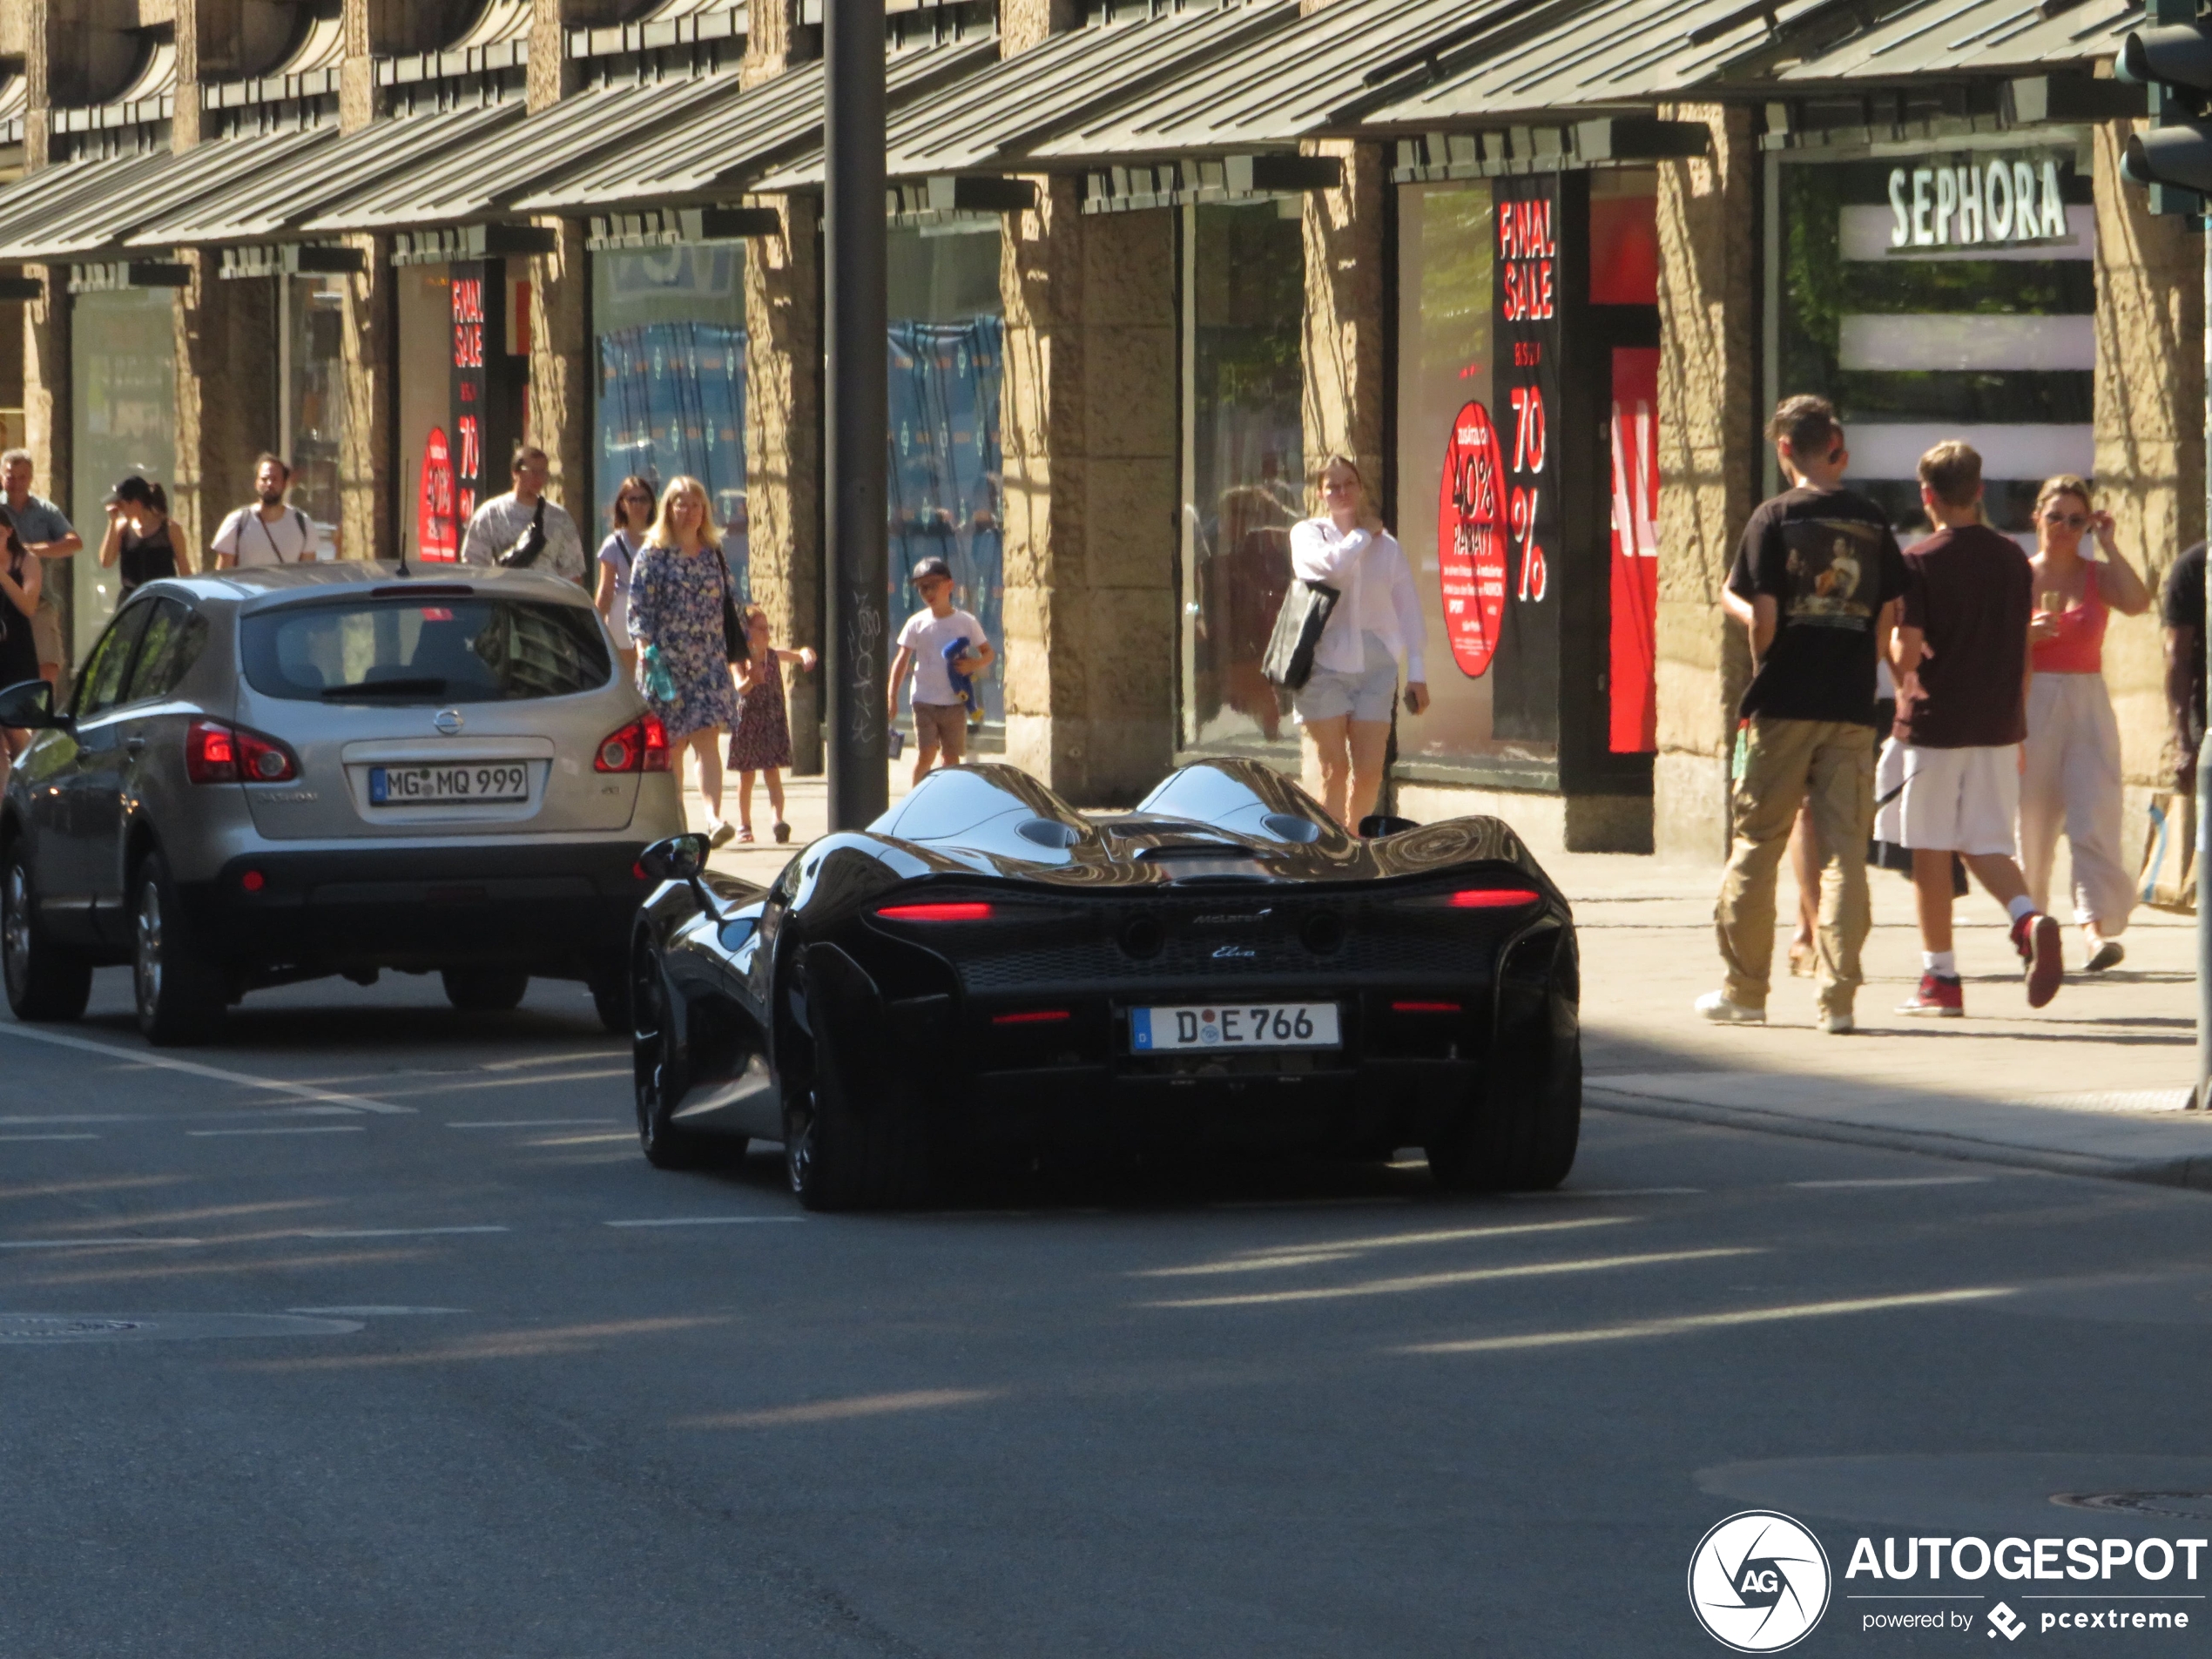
(1244, 468)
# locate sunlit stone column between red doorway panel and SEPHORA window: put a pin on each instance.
(1707, 470)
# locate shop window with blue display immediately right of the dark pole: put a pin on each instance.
(948, 366)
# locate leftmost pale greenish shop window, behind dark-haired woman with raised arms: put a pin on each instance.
(125, 399)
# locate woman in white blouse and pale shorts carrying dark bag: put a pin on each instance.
(1348, 702)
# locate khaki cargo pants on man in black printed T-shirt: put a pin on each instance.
(1826, 766)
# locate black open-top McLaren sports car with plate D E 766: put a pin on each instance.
(990, 972)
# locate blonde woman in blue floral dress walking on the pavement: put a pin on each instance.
(680, 612)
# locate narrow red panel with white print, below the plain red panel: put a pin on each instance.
(1636, 552)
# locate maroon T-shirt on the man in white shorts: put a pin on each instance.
(1972, 594)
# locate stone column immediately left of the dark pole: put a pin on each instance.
(784, 448)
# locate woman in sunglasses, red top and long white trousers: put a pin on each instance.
(2072, 760)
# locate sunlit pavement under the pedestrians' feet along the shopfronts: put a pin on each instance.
(2094, 1085)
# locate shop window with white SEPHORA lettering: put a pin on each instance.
(1941, 295)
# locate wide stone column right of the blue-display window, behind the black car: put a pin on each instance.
(1092, 497)
